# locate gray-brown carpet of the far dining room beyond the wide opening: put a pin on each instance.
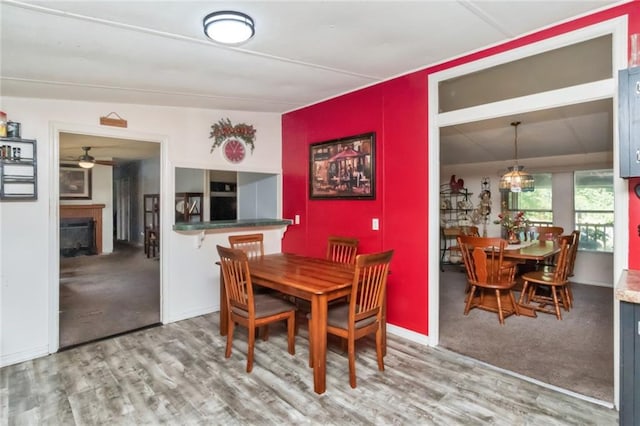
(575, 353)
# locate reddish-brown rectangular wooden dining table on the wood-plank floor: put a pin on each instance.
(316, 280)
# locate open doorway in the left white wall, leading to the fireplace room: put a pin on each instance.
(116, 287)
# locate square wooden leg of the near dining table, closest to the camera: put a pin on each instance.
(318, 333)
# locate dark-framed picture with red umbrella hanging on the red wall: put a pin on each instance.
(343, 168)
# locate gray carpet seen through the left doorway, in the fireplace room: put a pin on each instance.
(108, 294)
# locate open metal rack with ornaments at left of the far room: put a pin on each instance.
(455, 210)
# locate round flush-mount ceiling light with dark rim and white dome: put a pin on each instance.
(228, 27)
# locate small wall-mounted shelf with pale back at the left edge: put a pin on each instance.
(18, 173)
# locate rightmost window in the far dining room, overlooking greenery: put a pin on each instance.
(593, 201)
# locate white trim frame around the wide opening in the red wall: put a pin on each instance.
(616, 27)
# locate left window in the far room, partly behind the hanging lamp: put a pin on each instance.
(537, 205)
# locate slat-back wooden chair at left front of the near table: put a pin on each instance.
(249, 309)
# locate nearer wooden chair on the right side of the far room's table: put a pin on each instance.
(555, 280)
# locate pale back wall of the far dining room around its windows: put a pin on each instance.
(591, 267)
